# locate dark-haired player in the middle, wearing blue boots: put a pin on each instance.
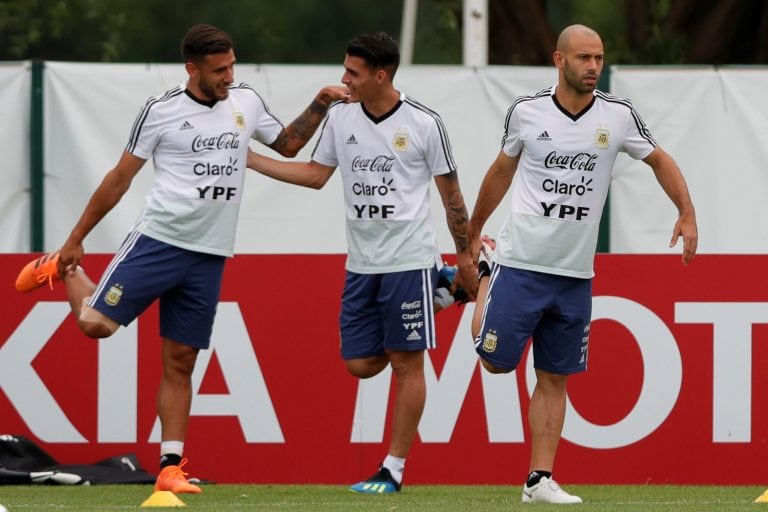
(388, 148)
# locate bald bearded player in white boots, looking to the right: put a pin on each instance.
(560, 146)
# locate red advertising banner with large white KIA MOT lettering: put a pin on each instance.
(676, 390)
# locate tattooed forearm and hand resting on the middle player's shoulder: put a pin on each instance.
(297, 134)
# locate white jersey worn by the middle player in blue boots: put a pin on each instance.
(387, 165)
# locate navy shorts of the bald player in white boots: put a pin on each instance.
(554, 310)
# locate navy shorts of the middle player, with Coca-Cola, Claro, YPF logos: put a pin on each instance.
(392, 311)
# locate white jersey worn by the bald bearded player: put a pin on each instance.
(562, 179)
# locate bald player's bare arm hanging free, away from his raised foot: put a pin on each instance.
(671, 180)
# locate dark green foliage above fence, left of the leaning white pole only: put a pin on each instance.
(276, 31)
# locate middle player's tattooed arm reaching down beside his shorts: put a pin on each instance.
(458, 223)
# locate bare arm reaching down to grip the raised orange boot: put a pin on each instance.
(115, 183)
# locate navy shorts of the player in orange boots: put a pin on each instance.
(187, 283)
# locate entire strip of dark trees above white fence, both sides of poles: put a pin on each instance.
(316, 31)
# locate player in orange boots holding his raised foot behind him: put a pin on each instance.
(197, 135)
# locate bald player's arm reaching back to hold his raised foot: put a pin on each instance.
(495, 184)
